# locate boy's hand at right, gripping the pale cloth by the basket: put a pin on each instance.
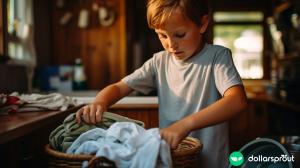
(174, 133)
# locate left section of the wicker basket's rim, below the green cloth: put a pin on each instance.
(66, 156)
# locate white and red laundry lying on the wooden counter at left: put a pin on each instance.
(16, 102)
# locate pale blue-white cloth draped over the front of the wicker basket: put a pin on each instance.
(126, 144)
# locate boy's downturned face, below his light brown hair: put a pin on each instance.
(180, 36)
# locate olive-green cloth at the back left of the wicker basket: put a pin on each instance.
(64, 135)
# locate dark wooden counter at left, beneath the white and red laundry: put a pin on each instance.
(24, 135)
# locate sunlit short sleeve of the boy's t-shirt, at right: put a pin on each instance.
(225, 72)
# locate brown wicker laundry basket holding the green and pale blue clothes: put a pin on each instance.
(185, 156)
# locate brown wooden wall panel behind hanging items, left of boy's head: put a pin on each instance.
(102, 49)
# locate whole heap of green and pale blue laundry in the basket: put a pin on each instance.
(120, 139)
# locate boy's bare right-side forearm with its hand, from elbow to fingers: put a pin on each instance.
(233, 102)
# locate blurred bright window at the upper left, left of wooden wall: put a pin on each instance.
(20, 44)
